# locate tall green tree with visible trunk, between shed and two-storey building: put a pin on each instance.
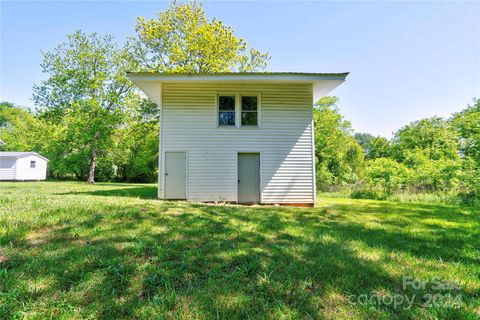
(87, 92)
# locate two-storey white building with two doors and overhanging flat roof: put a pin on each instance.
(237, 137)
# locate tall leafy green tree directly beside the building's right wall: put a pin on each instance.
(339, 158)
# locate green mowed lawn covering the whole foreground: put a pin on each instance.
(72, 250)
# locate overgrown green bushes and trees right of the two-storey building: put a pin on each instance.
(434, 155)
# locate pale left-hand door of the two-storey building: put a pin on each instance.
(175, 175)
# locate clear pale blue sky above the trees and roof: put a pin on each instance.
(408, 60)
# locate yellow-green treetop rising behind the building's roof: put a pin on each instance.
(182, 39)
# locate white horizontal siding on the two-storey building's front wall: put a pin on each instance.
(284, 140)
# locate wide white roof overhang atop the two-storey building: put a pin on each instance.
(322, 83)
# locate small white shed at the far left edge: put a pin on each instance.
(22, 166)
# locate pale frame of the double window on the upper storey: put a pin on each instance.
(238, 109)
